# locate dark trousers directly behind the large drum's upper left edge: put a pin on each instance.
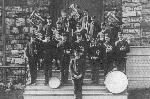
(108, 66)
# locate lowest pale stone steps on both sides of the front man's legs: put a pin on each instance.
(66, 92)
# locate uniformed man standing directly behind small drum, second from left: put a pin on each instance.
(50, 47)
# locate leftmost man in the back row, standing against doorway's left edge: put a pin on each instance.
(49, 27)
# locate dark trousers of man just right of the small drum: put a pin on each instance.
(64, 68)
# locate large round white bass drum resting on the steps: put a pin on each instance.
(116, 82)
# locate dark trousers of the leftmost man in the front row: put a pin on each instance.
(33, 68)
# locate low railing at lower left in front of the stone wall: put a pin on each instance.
(13, 74)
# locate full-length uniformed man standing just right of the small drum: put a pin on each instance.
(65, 50)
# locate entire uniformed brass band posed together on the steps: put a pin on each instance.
(75, 39)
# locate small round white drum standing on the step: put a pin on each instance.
(54, 82)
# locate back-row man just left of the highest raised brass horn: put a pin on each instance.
(63, 19)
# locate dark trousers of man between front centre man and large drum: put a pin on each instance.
(95, 64)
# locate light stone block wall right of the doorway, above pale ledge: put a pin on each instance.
(136, 19)
